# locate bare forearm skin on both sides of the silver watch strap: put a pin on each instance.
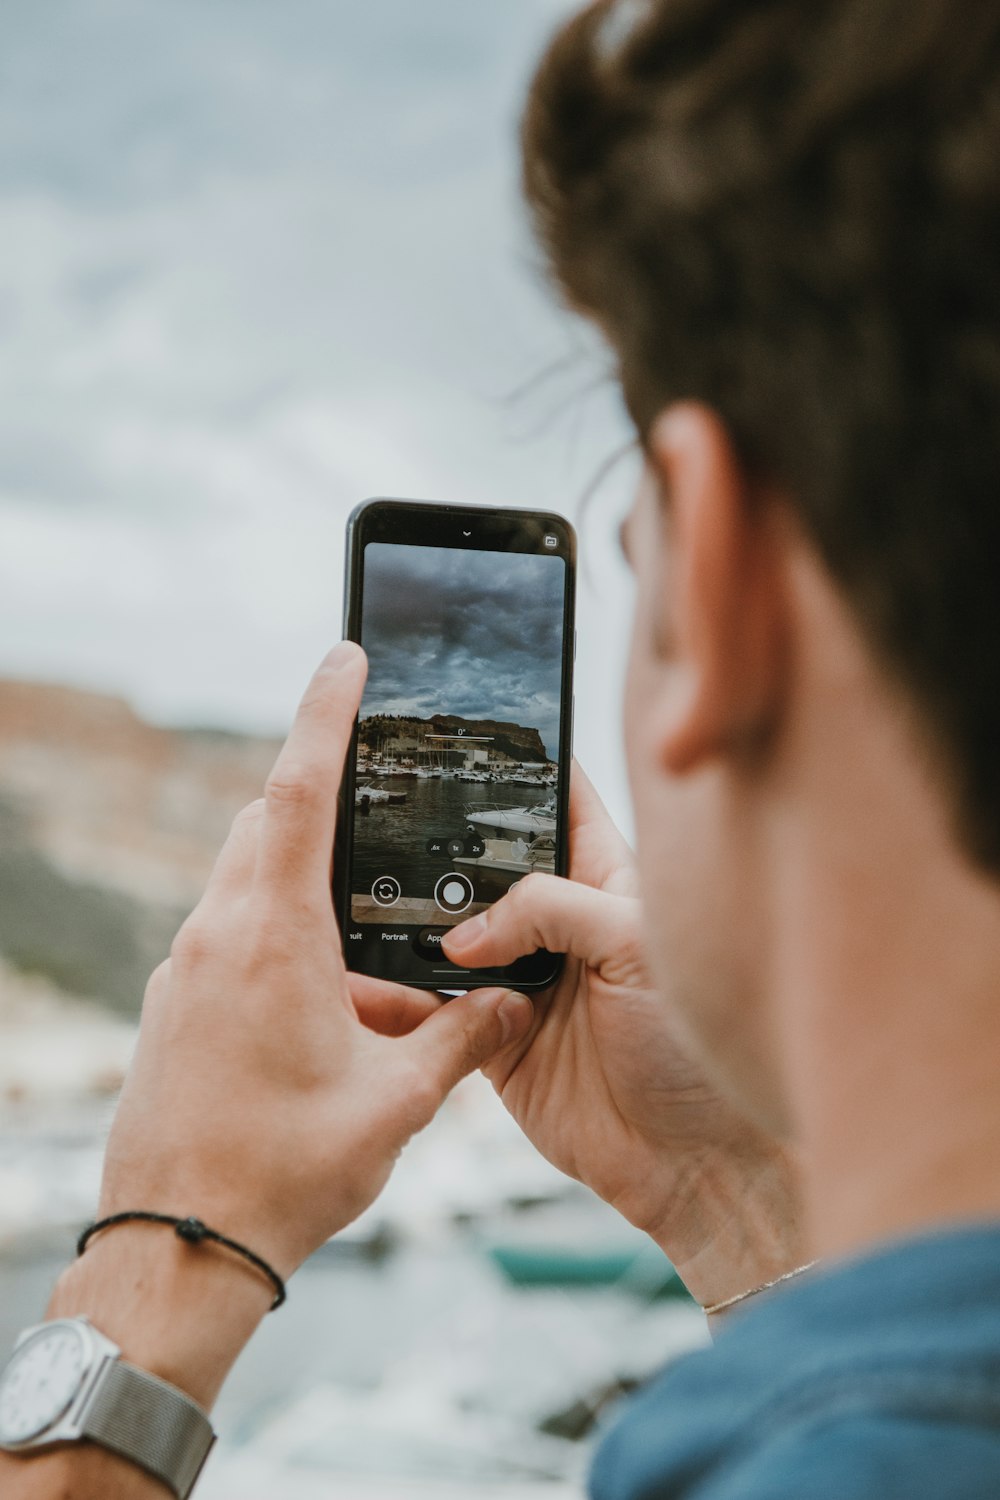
(178, 1312)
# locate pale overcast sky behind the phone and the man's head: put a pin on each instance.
(259, 262)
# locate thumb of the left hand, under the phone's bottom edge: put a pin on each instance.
(464, 1036)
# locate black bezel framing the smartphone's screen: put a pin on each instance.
(416, 523)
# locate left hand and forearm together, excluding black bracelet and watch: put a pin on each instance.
(257, 1100)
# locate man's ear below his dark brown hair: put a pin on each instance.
(722, 602)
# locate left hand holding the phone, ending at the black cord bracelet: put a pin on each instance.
(257, 1100)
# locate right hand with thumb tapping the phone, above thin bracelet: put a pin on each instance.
(602, 1084)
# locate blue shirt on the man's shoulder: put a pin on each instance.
(875, 1381)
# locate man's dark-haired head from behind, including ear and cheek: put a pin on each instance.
(786, 218)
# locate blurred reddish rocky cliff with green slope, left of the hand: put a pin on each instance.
(109, 829)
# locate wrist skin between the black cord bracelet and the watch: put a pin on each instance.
(179, 1312)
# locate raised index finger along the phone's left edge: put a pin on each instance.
(302, 791)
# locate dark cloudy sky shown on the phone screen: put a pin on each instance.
(469, 634)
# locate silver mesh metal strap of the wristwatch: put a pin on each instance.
(151, 1423)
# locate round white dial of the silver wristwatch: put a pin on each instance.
(41, 1382)
